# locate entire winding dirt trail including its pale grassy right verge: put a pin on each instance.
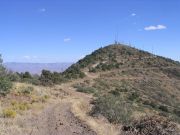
(69, 116)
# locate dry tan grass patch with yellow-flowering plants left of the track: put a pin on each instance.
(19, 105)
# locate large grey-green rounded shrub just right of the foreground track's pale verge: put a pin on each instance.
(113, 108)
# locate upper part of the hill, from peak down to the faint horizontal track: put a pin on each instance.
(120, 56)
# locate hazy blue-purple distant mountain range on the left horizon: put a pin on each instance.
(36, 68)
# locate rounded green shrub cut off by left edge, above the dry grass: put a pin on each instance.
(5, 85)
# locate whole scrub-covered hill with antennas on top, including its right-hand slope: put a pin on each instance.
(131, 83)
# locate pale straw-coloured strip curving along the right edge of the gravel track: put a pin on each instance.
(81, 107)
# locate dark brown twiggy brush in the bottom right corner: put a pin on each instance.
(154, 125)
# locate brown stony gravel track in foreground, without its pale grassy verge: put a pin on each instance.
(58, 120)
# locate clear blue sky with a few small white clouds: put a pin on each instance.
(45, 31)
